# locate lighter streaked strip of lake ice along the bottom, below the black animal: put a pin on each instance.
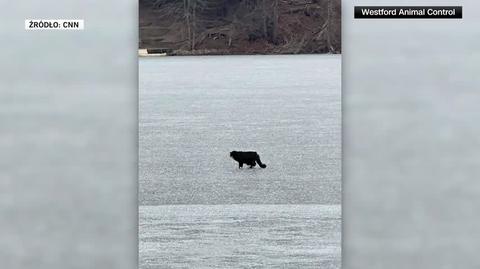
(240, 236)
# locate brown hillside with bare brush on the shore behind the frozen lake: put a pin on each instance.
(241, 26)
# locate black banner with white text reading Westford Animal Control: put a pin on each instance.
(408, 12)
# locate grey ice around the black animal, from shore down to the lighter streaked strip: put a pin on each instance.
(195, 110)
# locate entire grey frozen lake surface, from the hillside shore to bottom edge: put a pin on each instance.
(198, 209)
